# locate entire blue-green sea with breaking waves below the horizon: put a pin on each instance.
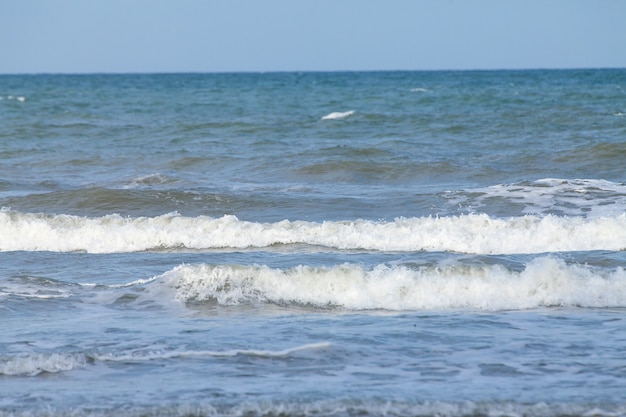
(402, 243)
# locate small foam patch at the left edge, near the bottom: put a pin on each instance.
(37, 363)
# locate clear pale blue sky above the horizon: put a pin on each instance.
(147, 36)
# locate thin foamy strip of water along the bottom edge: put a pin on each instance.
(342, 407)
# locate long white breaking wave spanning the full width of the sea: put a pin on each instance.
(472, 233)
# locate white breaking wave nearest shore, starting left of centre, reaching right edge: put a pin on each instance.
(545, 281)
